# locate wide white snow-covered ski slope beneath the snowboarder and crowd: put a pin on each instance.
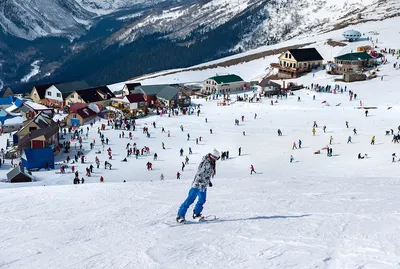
(319, 212)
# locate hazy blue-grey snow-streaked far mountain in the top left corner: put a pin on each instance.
(38, 18)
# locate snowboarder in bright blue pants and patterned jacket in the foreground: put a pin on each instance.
(201, 181)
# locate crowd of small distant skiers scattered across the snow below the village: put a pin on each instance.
(127, 126)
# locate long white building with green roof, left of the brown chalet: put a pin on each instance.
(223, 84)
